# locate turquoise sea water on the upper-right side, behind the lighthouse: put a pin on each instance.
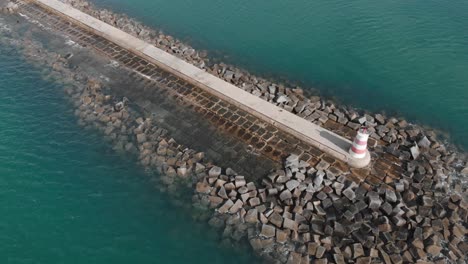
(407, 58)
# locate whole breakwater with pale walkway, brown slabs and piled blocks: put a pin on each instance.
(314, 206)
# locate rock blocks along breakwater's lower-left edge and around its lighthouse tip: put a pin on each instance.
(300, 213)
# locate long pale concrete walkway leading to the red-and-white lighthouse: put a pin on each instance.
(305, 131)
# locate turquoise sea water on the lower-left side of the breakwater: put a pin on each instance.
(66, 197)
